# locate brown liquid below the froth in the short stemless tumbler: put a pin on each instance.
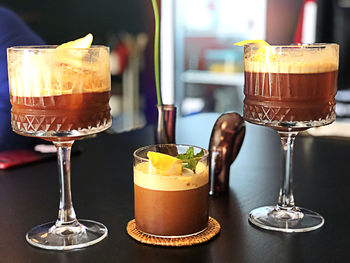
(171, 213)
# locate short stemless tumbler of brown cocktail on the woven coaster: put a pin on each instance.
(168, 203)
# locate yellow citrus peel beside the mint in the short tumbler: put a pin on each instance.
(165, 164)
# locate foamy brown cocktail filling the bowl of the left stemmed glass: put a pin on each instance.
(60, 95)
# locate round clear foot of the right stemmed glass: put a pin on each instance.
(286, 220)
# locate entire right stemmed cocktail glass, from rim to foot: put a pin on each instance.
(290, 89)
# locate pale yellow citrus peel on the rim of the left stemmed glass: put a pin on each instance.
(69, 53)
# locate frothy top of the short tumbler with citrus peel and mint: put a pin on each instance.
(149, 171)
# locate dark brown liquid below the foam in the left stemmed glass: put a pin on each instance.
(60, 114)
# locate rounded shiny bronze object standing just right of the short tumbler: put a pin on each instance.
(225, 143)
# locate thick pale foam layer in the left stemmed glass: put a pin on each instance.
(45, 73)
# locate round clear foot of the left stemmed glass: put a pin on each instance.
(66, 237)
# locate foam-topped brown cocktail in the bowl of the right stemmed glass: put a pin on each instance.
(291, 89)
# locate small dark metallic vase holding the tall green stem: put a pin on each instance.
(165, 130)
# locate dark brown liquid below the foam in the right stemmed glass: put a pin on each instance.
(286, 98)
